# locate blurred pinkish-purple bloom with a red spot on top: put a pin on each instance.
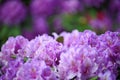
(102, 22)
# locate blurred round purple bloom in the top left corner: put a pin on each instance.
(13, 12)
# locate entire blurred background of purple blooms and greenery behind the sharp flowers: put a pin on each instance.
(32, 17)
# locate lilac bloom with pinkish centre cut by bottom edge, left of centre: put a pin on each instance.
(30, 70)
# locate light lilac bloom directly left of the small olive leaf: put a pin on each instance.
(45, 48)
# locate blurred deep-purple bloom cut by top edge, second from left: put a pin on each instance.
(42, 7)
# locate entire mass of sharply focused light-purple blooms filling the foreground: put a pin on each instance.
(67, 56)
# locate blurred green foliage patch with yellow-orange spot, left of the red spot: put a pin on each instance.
(78, 22)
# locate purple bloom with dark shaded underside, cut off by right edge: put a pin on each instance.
(112, 41)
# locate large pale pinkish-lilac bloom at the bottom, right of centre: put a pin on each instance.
(80, 63)
